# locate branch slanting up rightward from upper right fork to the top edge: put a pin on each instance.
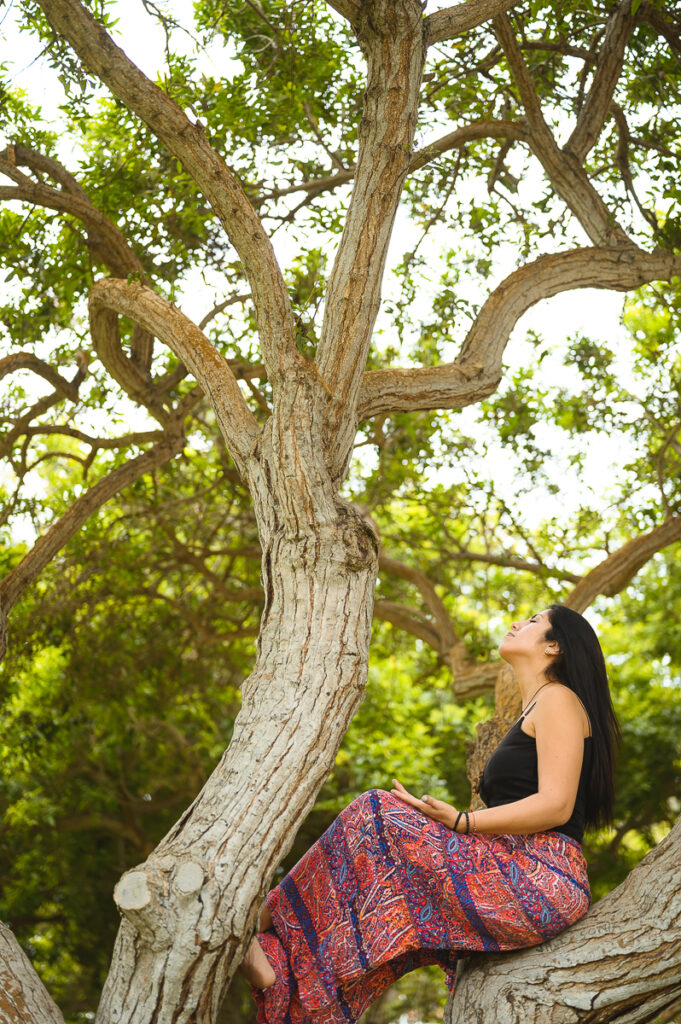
(609, 69)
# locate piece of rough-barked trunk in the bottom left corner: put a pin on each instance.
(24, 999)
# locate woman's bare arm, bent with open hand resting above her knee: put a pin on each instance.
(559, 721)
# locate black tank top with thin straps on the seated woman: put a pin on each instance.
(512, 775)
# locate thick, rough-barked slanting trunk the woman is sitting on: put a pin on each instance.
(621, 963)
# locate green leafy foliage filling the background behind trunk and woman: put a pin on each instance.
(121, 686)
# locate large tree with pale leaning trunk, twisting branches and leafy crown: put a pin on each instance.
(189, 911)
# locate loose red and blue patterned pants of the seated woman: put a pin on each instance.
(388, 890)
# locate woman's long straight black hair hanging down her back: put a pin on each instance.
(581, 667)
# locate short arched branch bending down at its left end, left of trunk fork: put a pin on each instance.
(111, 298)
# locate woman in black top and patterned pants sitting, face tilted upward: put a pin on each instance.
(400, 882)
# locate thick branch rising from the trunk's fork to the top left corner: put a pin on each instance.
(189, 144)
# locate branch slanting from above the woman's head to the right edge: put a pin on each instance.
(618, 570)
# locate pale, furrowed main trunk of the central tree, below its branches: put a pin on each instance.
(190, 911)
